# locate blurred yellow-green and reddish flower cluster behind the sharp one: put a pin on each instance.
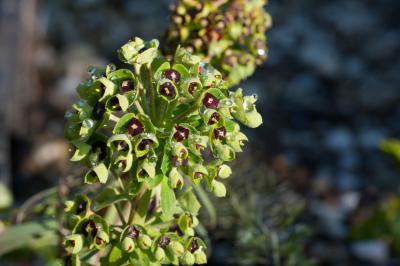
(229, 34)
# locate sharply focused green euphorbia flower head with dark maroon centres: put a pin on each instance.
(148, 134)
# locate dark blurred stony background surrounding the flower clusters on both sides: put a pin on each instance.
(312, 185)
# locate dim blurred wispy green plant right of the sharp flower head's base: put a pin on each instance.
(261, 217)
